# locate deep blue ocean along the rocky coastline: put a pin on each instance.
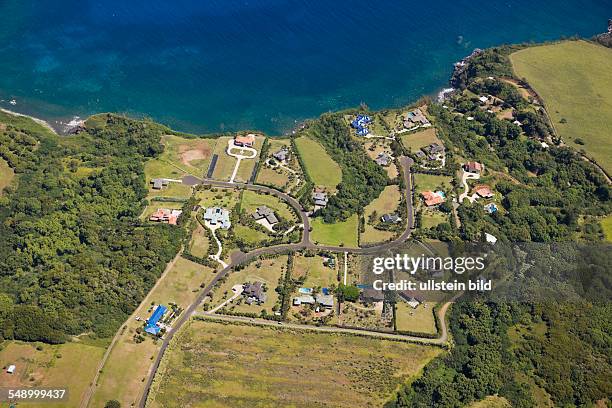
(210, 65)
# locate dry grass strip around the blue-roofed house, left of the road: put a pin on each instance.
(127, 366)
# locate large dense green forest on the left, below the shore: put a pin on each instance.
(73, 255)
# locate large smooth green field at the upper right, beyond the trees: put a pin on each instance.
(575, 80)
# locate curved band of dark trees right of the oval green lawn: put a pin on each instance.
(362, 179)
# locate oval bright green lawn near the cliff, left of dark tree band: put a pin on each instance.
(320, 167)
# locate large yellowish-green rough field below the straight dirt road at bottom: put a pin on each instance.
(210, 364)
